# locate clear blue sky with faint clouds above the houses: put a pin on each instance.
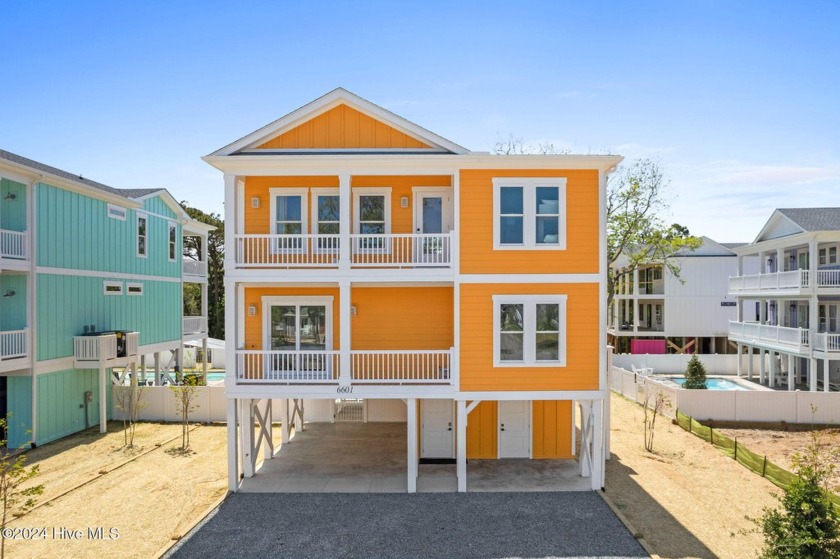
(739, 100)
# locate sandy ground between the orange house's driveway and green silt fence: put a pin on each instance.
(686, 498)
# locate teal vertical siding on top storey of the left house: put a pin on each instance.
(74, 231)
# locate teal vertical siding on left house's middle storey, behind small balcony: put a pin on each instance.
(66, 304)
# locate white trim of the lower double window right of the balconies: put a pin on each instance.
(529, 332)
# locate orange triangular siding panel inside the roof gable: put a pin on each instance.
(343, 127)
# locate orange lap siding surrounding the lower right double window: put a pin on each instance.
(582, 350)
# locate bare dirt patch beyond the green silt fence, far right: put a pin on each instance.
(780, 445)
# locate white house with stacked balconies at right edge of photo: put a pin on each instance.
(794, 323)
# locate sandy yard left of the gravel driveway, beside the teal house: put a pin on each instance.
(147, 501)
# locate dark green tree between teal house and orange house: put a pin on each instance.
(215, 272)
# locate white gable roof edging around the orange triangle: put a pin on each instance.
(339, 96)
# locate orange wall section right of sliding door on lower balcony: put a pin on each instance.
(402, 318)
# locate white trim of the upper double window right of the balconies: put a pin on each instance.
(529, 216)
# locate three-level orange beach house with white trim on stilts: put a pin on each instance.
(374, 267)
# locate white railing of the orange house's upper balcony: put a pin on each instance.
(398, 250)
